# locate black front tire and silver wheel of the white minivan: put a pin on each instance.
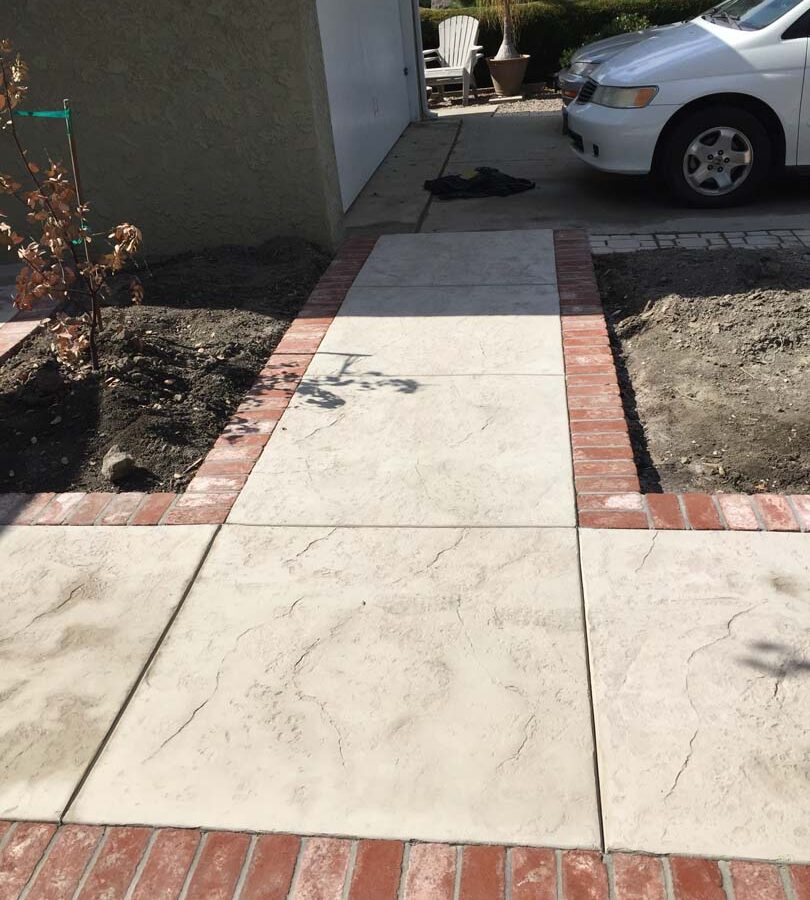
(697, 174)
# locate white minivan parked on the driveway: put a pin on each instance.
(712, 106)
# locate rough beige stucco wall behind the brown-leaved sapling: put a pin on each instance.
(202, 121)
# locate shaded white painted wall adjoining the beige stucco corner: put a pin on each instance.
(367, 45)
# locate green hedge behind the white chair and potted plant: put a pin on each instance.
(549, 27)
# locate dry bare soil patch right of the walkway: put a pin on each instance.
(714, 349)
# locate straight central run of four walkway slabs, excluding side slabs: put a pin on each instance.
(394, 608)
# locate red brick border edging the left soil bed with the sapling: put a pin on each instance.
(216, 485)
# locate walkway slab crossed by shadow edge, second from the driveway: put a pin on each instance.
(444, 331)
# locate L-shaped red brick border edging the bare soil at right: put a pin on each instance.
(607, 486)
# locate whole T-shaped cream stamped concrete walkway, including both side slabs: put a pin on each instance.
(390, 637)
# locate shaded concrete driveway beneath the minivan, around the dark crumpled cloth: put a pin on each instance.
(569, 193)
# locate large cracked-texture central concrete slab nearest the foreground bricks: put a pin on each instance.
(373, 682)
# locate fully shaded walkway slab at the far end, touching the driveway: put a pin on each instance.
(481, 258)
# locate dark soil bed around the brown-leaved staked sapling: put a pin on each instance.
(173, 371)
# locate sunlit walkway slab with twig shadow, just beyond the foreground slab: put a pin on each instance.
(476, 450)
